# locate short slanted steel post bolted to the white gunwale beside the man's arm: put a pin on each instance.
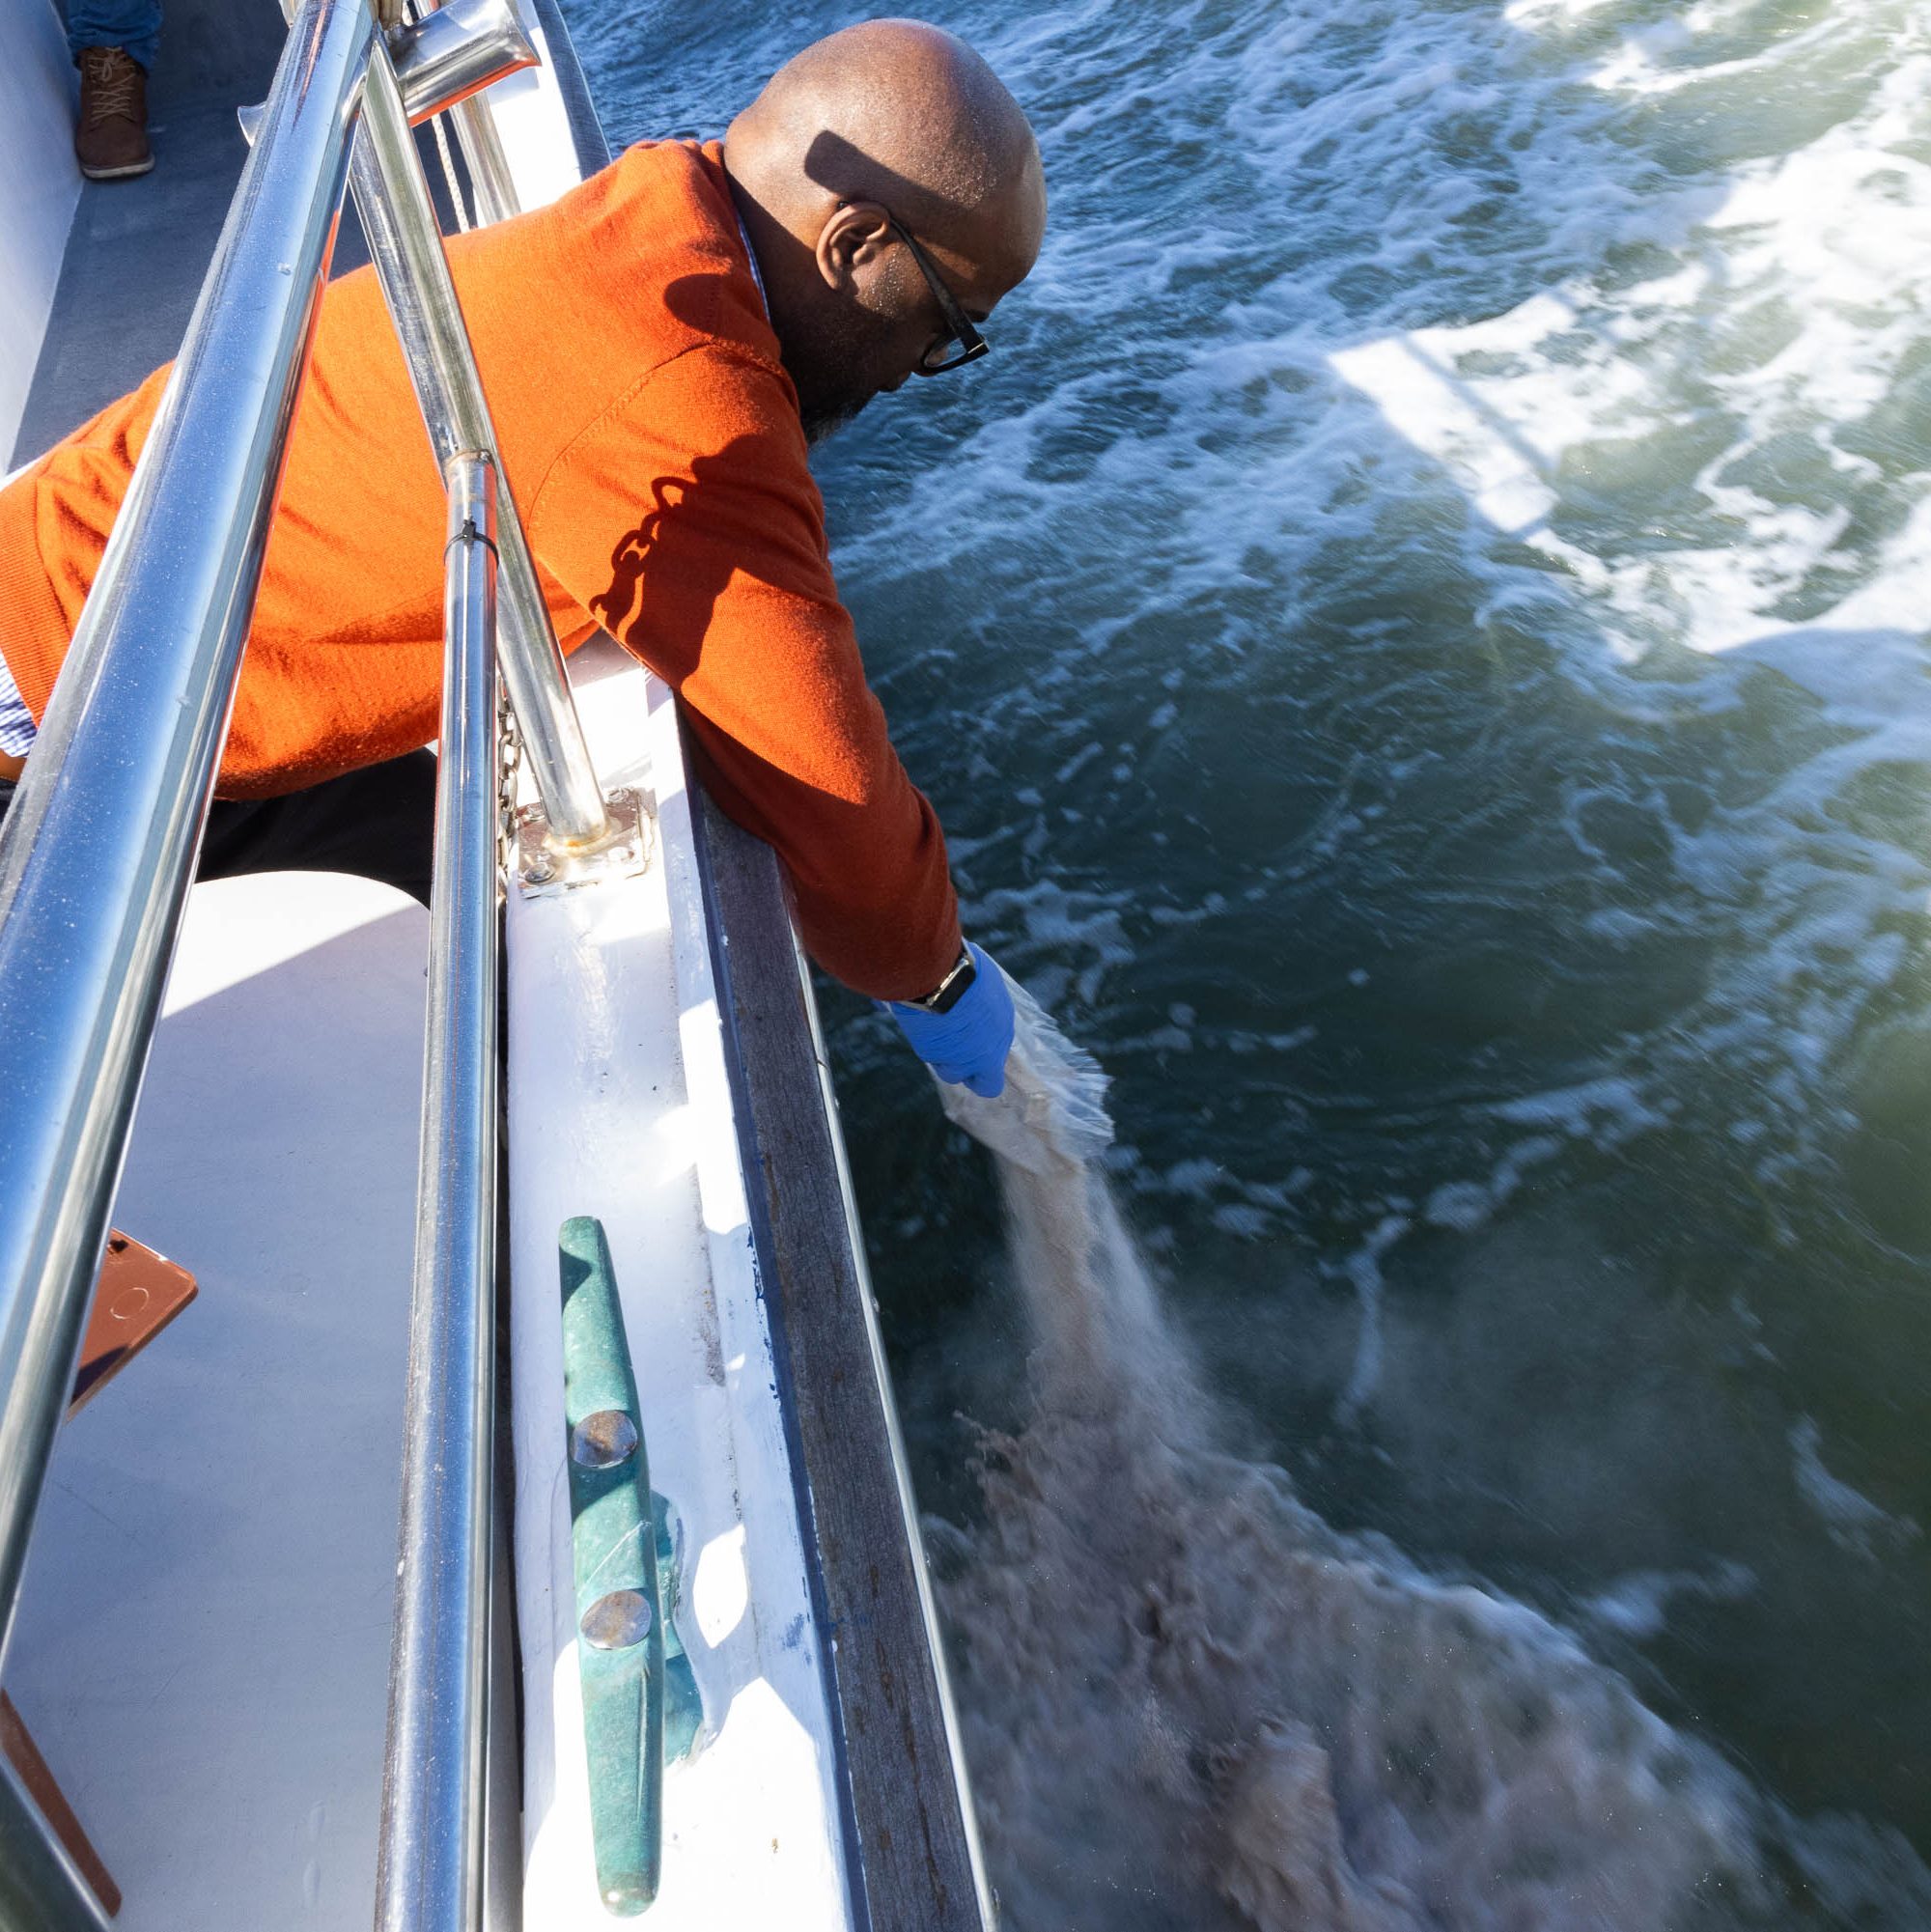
(406, 248)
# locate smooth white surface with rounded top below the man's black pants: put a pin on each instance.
(204, 1635)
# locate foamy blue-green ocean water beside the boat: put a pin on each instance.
(1416, 635)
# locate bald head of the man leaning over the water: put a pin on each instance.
(876, 134)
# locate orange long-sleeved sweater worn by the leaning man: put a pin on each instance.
(656, 449)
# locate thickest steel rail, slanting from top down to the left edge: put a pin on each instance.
(101, 843)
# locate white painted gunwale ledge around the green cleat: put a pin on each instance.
(619, 1108)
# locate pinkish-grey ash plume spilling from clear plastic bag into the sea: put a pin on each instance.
(1189, 1703)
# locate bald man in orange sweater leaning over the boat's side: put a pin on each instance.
(659, 349)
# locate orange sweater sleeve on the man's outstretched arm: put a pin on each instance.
(688, 525)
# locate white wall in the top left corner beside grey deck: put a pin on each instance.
(40, 185)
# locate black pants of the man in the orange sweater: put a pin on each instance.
(379, 822)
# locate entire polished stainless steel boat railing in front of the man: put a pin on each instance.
(101, 843)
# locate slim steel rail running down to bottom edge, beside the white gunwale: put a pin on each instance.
(430, 1873)
